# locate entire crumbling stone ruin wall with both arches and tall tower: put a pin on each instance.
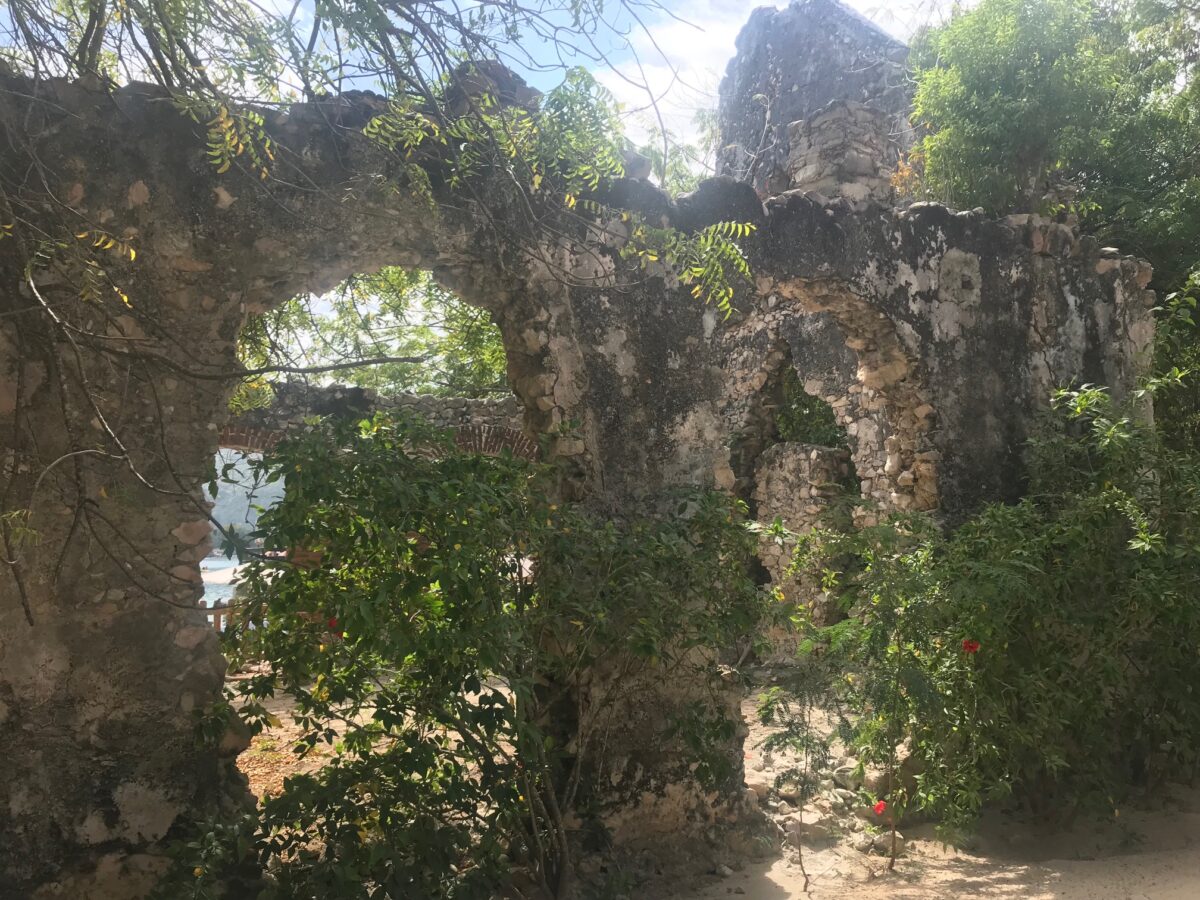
(935, 335)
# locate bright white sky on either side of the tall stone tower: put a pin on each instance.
(685, 52)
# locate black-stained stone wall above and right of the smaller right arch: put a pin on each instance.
(961, 327)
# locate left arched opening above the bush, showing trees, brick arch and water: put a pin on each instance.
(394, 341)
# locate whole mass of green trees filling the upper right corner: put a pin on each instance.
(1019, 97)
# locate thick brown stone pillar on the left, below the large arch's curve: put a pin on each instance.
(106, 663)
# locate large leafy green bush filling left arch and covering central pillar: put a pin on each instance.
(439, 614)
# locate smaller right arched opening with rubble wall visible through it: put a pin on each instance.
(832, 434)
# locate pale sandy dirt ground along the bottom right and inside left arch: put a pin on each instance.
(1145, 855)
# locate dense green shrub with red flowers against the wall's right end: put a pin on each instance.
(1043, 652)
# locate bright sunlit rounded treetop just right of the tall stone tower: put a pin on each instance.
(1007, 93)
